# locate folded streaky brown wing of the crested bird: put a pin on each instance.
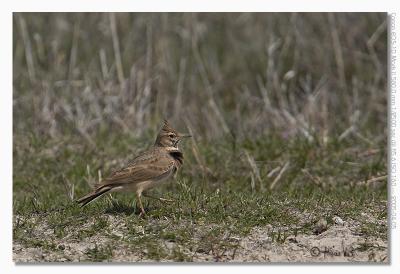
(148, 168)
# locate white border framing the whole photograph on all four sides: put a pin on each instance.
(6, 9)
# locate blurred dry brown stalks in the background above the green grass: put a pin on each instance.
(316, 75)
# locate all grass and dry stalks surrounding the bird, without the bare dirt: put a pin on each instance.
(288, 114)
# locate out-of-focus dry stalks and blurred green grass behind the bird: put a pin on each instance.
(271, 99)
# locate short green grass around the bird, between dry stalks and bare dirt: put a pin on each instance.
(210, 208)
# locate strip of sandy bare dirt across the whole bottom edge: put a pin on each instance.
(338, 243)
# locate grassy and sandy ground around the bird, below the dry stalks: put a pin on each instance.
(217, 214)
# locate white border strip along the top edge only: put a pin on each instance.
(203, 5)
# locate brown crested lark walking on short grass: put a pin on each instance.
(147, 170)
